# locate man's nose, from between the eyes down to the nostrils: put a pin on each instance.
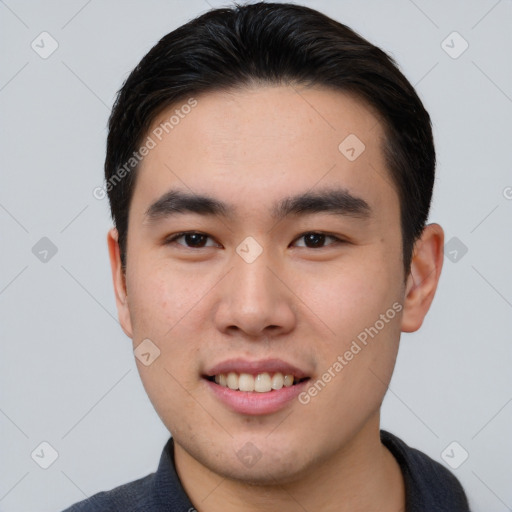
(254, 300)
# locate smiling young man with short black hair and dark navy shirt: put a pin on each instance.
(270, 174)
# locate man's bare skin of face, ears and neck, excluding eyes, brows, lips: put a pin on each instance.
(250, 148)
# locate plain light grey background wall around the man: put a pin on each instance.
(67, 372)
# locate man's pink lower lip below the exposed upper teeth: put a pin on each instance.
(253, 402)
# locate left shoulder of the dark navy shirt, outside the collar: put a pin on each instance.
(130, 497)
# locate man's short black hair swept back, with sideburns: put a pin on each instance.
(273, 44)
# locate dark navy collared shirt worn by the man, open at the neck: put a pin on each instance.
(429, 486)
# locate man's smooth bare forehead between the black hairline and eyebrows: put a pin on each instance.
(248, 146)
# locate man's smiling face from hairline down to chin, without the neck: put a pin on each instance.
(290, 265)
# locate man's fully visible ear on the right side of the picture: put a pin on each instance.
(426, 265)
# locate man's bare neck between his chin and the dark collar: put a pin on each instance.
(361, 476)
